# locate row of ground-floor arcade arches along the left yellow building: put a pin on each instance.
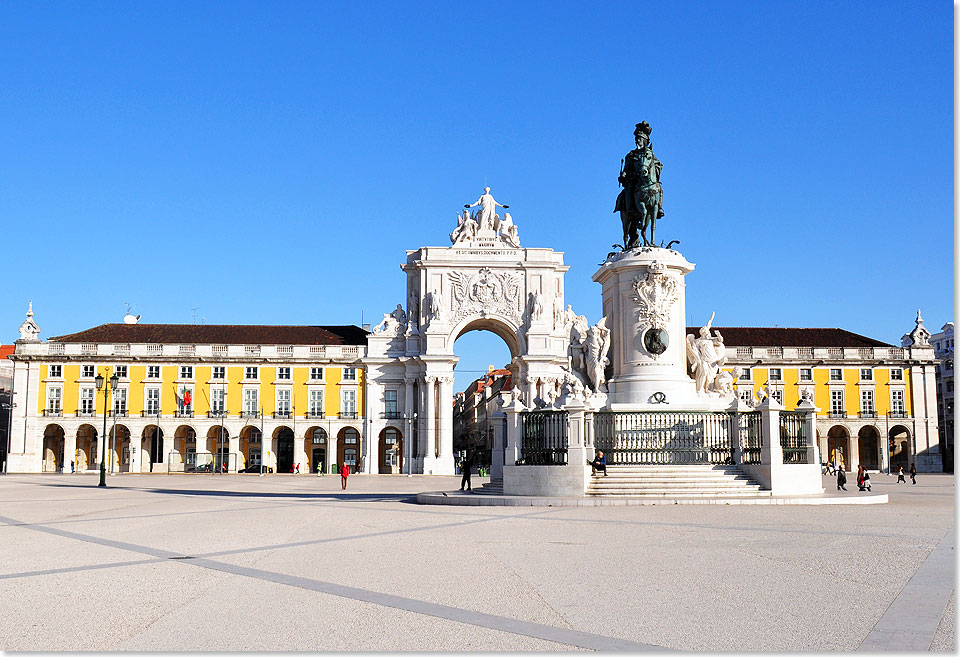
(316, 448)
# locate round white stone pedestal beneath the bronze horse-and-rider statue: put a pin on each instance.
(644, 302)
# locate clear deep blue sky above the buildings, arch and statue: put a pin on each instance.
(270, 162)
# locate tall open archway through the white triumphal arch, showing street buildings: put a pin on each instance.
(485, 368)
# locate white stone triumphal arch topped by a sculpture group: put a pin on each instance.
(485, 280)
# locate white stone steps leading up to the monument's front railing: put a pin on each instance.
(675, 481)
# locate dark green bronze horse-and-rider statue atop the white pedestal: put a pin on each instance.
(641, 199)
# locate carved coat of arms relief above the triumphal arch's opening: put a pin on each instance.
(486, 292)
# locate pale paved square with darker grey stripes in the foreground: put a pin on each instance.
(284, 562)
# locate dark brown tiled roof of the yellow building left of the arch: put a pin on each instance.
(218, 334)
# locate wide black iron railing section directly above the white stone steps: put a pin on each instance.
(665, 437)
